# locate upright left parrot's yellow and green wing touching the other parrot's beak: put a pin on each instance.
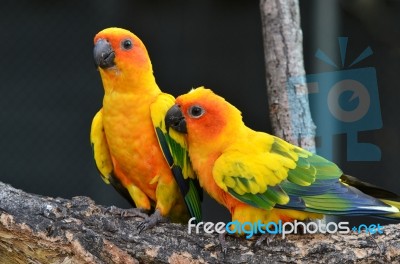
(173, 146)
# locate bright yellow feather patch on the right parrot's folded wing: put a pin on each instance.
(252, 171)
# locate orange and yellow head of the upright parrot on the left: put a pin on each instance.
(118, 53)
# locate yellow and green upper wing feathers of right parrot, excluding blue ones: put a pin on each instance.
(255, 177)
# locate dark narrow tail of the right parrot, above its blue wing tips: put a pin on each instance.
(377, 192)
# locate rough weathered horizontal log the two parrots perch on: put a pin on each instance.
(37, 229)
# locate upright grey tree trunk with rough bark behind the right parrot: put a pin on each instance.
(287, 91)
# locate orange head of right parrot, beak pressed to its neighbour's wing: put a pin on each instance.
(204, 116)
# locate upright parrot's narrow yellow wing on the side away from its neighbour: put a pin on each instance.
(102, 156)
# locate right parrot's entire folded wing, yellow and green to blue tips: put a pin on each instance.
(282, 175)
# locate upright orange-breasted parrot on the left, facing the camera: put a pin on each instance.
(128, 134)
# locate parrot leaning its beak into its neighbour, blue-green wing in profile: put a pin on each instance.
(257, 176)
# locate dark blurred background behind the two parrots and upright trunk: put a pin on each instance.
(50, 89)
